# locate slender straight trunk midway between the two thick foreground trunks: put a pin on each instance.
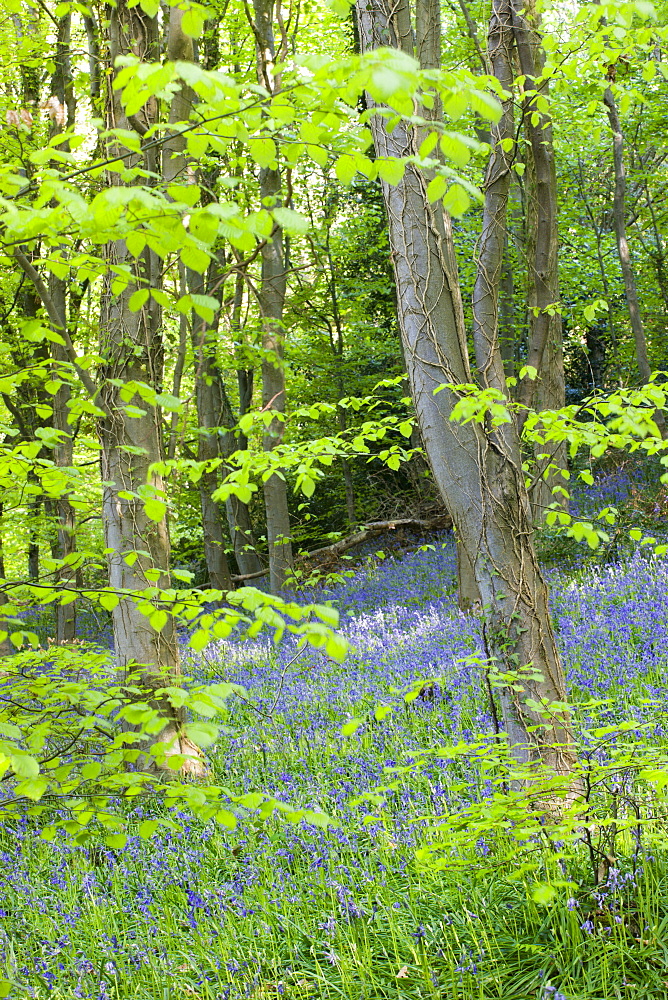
(272, 300)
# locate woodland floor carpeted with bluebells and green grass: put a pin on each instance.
(272, 910)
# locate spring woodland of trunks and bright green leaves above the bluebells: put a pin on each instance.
(279, 279)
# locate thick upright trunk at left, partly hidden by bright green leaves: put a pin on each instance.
(131, 347)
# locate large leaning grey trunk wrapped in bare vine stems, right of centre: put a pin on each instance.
(477, 470)
